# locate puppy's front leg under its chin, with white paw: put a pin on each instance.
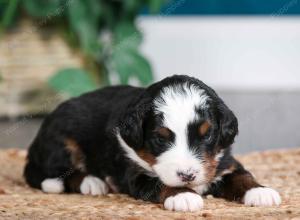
(176, 199)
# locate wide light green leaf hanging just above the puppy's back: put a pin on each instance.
(72, 81)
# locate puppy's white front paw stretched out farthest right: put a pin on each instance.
(262, 196)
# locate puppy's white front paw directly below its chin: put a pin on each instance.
(186, 201)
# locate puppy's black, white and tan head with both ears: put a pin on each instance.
(178, 130)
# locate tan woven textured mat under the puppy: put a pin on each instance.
(279, 169)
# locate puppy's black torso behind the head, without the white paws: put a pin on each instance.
(82, 128)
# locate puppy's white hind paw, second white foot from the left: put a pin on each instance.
(93, 185)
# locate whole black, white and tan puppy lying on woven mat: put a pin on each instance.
(168, 143)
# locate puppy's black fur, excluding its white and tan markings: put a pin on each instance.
(92, 121)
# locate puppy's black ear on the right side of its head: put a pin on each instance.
(228, 126)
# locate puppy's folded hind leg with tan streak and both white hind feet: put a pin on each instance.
(60, 167)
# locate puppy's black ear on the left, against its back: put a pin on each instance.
(131, 123)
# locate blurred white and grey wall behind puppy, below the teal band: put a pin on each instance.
(252, 62)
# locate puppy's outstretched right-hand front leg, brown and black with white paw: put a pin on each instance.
(240, 185)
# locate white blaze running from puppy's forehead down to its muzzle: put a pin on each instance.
(178, 106)
